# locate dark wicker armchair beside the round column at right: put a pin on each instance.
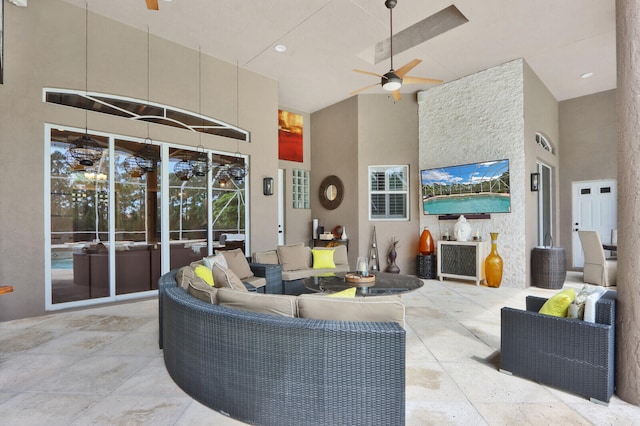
(568, 354)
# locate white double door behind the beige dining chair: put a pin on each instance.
(594, 209)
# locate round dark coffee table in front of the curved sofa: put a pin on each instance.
(385, 284)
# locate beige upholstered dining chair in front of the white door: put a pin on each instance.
(597, 268)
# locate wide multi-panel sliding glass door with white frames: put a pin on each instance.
(105, 228)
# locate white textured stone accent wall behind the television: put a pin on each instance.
(481, 118)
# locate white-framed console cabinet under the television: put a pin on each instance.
(462, 259)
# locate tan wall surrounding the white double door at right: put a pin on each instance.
(588, 131)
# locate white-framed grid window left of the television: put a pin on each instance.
(388, 193)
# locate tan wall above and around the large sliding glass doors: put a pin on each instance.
(44, 47)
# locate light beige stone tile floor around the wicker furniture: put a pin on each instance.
(102, 366)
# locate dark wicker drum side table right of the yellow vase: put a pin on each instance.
(548, 267)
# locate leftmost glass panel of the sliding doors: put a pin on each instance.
(79, 221)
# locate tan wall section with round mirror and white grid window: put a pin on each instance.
(348, 137)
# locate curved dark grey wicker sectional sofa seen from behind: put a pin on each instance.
(274, 370)
